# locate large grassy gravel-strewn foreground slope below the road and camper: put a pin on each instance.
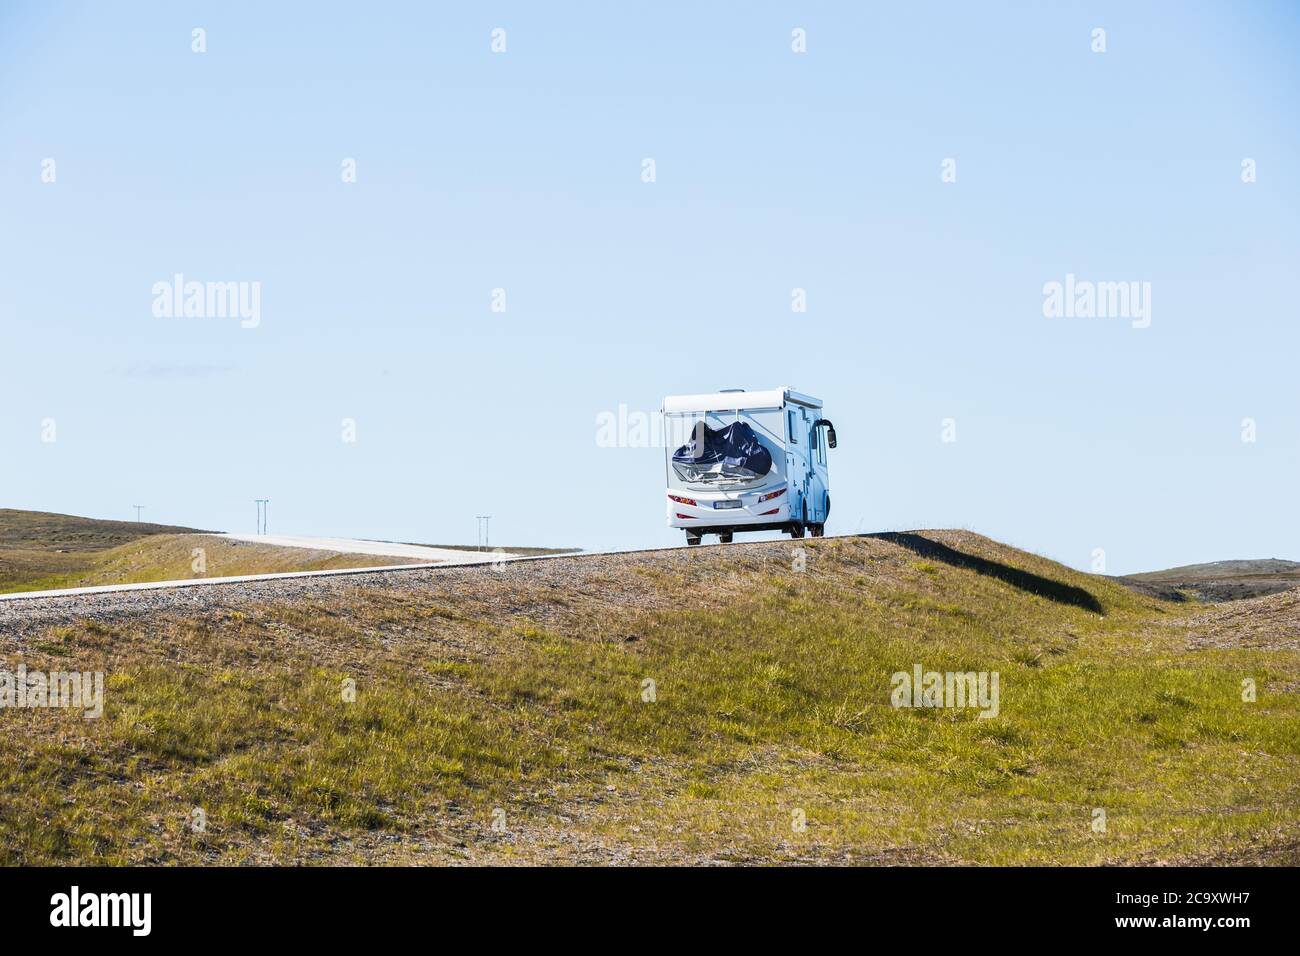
(505, 716)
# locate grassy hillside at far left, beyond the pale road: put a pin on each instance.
(41, 552)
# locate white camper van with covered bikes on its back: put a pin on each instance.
(747, 461)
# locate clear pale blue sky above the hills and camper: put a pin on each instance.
(774, 171)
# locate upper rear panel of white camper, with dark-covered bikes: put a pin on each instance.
(730, 448)
